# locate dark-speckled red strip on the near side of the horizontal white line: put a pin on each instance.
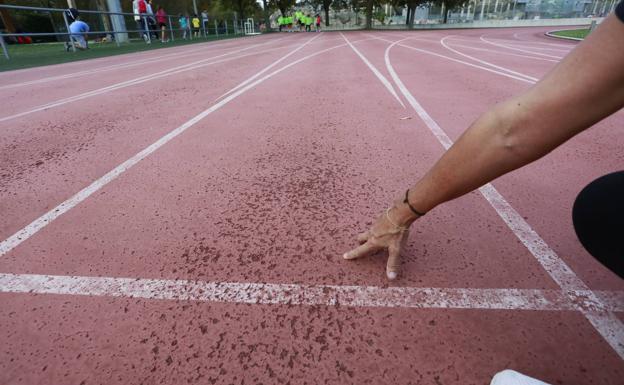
(130, 340)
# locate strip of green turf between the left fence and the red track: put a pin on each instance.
(34, 55)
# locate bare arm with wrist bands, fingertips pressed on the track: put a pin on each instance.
(587, 86)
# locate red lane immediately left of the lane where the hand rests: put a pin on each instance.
(47, 159)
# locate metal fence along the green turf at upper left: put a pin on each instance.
(112, 27)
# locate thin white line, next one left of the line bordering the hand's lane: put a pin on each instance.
(141, 79)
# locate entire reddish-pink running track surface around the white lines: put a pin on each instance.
(271, 188)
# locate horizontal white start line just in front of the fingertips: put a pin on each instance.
(294, 294)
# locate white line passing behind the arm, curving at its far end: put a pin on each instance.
(606, 323)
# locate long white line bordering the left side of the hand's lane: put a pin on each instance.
(39, 223)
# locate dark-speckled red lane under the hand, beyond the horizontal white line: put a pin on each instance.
(269, 176)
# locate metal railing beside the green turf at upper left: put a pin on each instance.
(119, 33)
